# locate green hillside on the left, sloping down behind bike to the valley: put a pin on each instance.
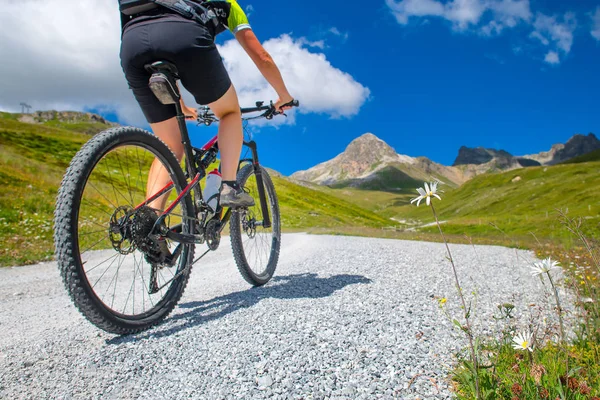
(33, 159)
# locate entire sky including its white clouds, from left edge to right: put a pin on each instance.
(426, 76)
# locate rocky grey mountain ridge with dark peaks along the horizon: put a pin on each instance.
(369, 162)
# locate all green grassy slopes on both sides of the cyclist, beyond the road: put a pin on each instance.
(512, 208)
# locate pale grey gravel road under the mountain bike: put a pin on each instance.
(344, 317)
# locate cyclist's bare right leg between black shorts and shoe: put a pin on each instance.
(227, 109)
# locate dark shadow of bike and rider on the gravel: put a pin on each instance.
(297, 286)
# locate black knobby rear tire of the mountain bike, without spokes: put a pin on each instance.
(66, 228)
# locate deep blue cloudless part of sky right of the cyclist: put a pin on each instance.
(434, 88)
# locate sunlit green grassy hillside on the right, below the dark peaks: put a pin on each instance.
(519, 202)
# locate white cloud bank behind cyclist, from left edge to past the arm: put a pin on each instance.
(64, 54)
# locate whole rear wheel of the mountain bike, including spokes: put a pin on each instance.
(105, 242)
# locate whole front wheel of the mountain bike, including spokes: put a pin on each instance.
(256, 247)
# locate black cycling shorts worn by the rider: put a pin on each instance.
(187, 44)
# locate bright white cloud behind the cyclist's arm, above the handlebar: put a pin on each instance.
(320, 87)
